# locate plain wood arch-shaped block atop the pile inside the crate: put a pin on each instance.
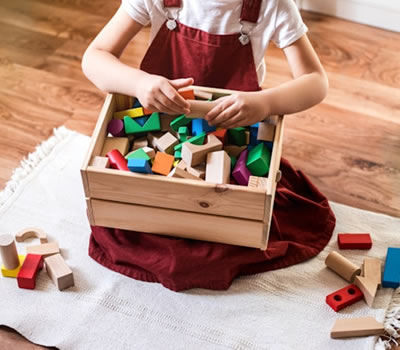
(195, 154)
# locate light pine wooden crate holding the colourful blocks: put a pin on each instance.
(186, 208)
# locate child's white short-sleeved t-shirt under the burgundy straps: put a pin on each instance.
(279, 21)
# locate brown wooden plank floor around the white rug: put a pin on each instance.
(349, 145)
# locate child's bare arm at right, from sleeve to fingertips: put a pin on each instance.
(308, 88)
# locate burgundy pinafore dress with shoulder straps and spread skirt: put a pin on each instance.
(302, 222)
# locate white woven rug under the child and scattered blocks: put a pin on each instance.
(282, 309)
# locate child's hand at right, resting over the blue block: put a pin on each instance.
(241, 109)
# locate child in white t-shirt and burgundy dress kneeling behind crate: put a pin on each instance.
(214, 43)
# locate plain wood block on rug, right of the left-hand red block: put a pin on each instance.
(59, 271)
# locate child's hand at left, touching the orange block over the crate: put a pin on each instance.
(160, 94)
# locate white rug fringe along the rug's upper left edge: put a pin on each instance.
(29, 163)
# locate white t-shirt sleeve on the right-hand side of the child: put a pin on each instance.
(289, 25)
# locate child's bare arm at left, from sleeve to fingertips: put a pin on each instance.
(102, 66)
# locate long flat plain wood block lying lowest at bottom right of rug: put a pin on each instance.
(356, 327)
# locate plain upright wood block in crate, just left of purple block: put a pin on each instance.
(218, 168)
